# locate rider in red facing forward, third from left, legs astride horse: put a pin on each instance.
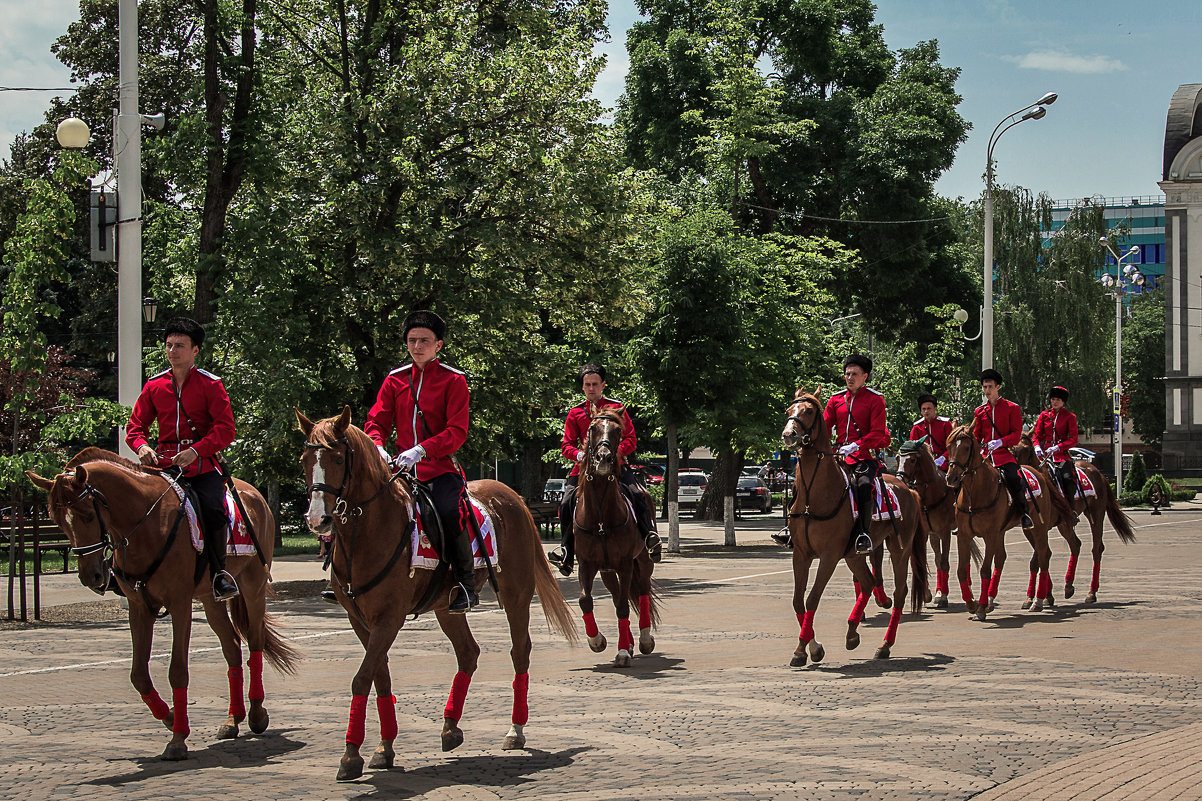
(576, 430)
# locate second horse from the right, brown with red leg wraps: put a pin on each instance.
(984, 509)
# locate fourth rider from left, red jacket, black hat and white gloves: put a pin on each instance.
(856, 416)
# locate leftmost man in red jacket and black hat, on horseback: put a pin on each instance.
(195, 425)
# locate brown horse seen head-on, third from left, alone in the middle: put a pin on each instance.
(608, 541)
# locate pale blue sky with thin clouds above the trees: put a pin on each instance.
(1115, 67)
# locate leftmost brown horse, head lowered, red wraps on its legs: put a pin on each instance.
(124, 520)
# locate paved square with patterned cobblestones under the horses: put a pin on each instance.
(1081, 703)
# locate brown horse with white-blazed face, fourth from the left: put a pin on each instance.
(820, 524)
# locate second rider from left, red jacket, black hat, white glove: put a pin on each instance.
(427, 404)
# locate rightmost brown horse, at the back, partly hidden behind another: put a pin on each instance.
(1103, 505)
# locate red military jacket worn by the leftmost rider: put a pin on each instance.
(203, 400)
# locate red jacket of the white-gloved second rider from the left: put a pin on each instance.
(442, 395)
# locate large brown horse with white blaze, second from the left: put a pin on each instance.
(370, 513)
